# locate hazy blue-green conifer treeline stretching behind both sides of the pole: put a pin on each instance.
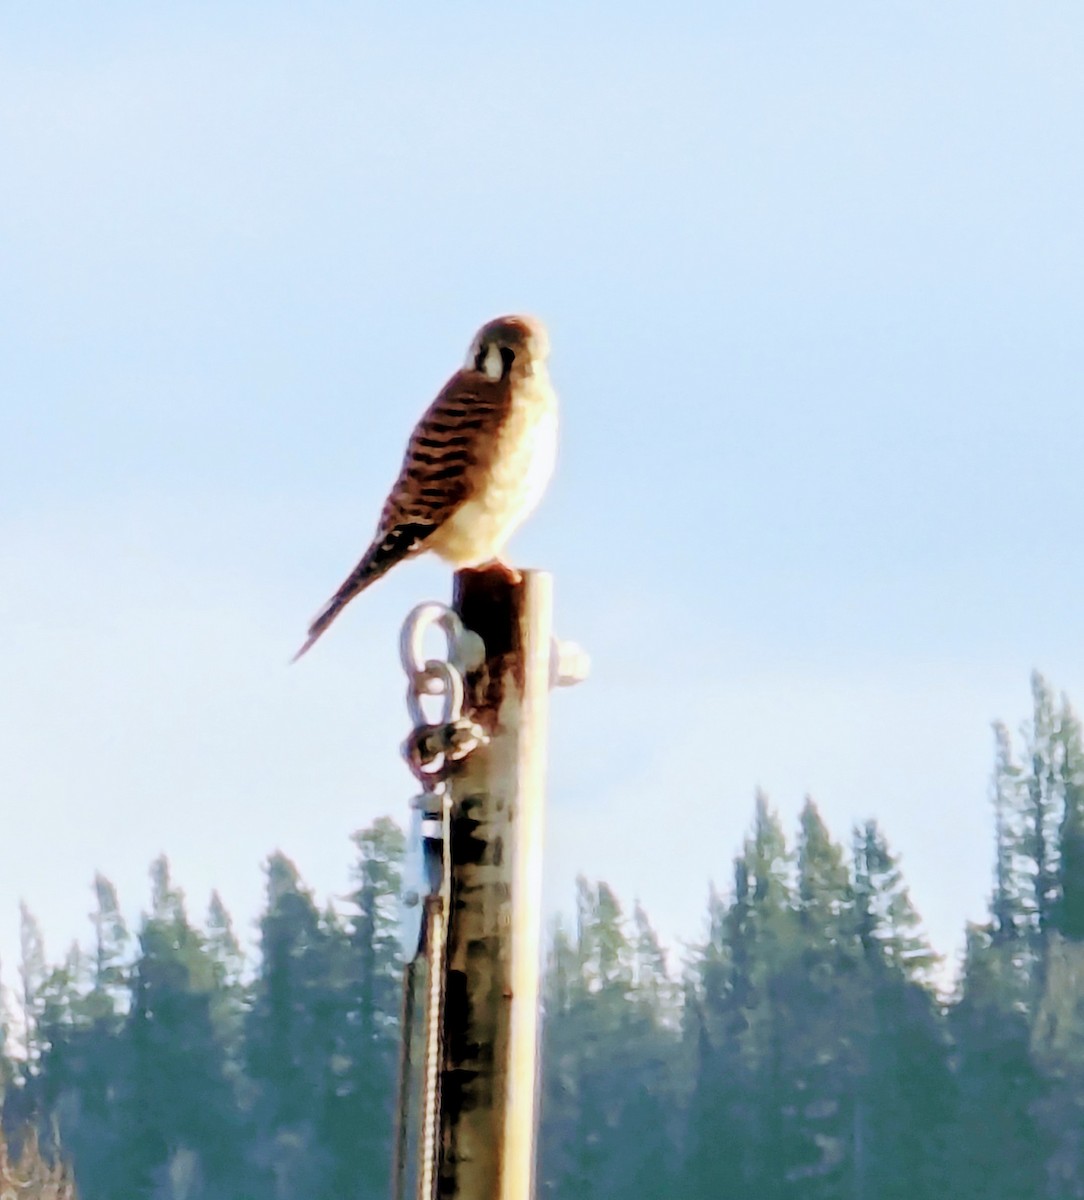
(801, 1053)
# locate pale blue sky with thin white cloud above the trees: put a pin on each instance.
(815, 278)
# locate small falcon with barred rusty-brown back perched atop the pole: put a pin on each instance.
(476, 466)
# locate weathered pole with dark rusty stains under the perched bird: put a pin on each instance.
(492, 999)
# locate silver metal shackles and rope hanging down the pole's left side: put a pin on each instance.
(432, 751)
